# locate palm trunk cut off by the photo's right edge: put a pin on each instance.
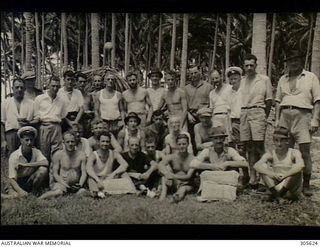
(315, 61)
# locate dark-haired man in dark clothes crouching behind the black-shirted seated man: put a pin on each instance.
(157, 129)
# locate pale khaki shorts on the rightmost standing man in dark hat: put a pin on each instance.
(298, 122)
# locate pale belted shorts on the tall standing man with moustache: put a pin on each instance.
(253, 124)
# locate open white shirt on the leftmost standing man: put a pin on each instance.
(10, 114)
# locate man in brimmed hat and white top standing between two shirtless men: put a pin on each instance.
(156, 91)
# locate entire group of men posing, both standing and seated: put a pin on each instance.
(160, 138)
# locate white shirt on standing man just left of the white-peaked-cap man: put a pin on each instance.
(219, 100)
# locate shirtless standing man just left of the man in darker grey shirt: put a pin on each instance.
(175, 99)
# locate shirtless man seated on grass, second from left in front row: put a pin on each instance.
(69, 169)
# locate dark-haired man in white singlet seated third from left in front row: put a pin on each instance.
(100, 165)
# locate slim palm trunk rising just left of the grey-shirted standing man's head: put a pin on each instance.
(184, 55)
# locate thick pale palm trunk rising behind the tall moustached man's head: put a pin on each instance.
(259, 35)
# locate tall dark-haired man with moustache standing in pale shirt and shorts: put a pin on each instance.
(256, 90)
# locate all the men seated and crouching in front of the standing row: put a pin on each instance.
(83, 166)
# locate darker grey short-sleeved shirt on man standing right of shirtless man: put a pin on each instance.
(198, 97)
